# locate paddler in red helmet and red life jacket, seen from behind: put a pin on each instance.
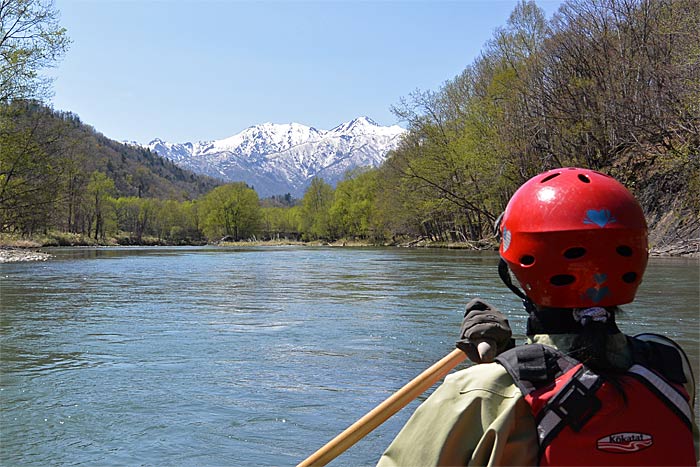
(580, 392)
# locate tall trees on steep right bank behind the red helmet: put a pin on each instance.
(606, 84)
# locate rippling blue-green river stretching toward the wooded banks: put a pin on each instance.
(255, 356)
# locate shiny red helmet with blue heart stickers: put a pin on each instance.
(575, 238)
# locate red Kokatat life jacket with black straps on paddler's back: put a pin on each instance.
(642, 418)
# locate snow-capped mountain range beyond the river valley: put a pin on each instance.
(283, 158)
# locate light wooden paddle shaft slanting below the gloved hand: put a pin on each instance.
(385, 410)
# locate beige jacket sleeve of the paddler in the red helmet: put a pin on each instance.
(476, 417)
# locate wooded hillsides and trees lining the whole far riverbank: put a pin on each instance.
(613, 85)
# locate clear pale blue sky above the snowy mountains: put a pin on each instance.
(185, 70)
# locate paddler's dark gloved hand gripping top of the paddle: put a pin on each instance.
(485, 332)
